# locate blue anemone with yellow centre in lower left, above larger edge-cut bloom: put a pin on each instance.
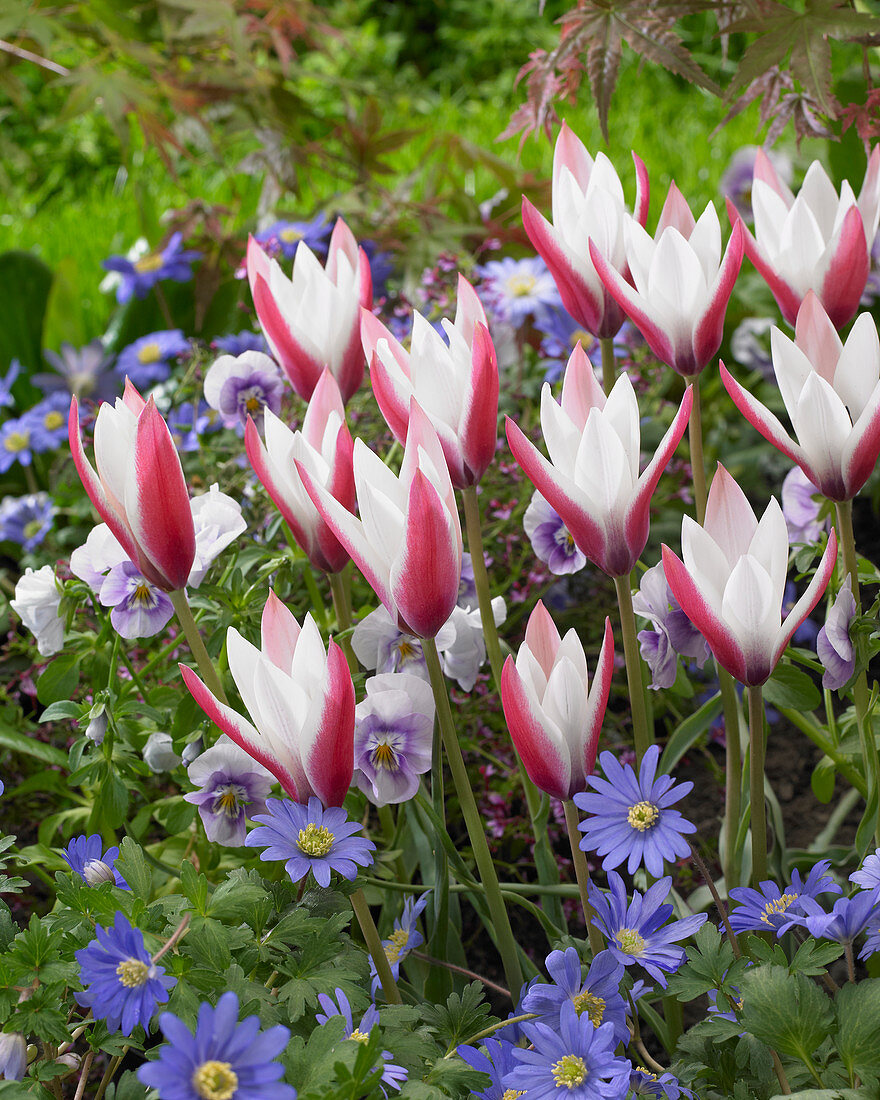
(125, 986)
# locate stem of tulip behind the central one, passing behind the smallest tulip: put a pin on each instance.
(545, 862)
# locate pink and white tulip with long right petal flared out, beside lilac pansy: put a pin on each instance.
(732, 581)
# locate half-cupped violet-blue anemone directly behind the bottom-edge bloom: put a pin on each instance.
(598, 995)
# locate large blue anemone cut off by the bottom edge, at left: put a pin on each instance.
(223, 1061)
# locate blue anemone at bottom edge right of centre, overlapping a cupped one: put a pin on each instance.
(577, 1058)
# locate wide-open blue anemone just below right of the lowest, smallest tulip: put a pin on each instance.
(632, 818)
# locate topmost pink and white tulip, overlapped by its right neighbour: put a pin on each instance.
(588, 204)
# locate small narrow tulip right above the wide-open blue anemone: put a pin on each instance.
(554, 714)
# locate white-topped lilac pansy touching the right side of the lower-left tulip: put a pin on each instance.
(393, 738)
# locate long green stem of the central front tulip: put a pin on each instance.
(475, 824)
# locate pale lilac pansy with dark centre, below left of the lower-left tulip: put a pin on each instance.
(232, 788)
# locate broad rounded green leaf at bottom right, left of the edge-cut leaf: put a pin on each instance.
(789, 1013)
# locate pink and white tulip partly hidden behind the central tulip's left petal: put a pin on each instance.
(326, 449)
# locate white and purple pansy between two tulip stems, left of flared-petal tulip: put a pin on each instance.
(674, 632)
